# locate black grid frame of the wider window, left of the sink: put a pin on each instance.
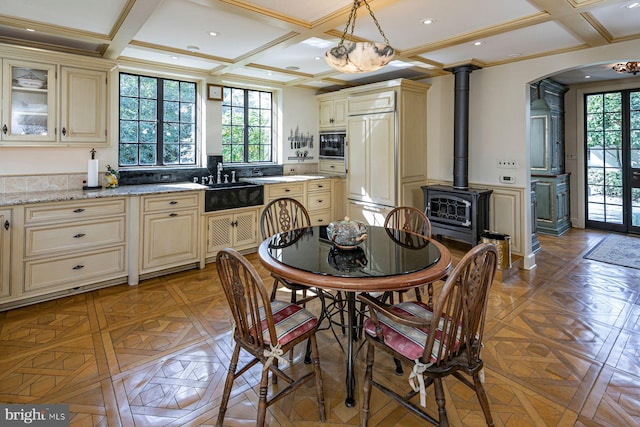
(160, 123)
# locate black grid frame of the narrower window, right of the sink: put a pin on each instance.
(227, 102)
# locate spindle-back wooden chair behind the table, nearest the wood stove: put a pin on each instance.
(410, 220)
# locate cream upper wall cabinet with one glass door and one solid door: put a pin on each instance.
(42, 107)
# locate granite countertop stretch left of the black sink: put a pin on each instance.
(11, 199)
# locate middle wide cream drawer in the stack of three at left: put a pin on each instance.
(74, 236)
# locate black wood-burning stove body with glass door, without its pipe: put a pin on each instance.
(462, 214)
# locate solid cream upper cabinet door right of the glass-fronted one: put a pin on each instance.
(83, 106)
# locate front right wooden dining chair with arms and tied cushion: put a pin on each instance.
(436, 342)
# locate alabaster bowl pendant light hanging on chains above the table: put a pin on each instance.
(359, 57)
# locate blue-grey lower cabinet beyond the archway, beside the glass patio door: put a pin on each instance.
(552, 204)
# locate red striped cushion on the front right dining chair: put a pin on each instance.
(406, 340)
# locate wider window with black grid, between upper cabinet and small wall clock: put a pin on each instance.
(157, 122)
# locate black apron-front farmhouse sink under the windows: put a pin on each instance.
(233, 195)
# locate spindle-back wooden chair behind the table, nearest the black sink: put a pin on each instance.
(281, 215)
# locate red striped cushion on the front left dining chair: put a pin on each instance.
(290, 320)
